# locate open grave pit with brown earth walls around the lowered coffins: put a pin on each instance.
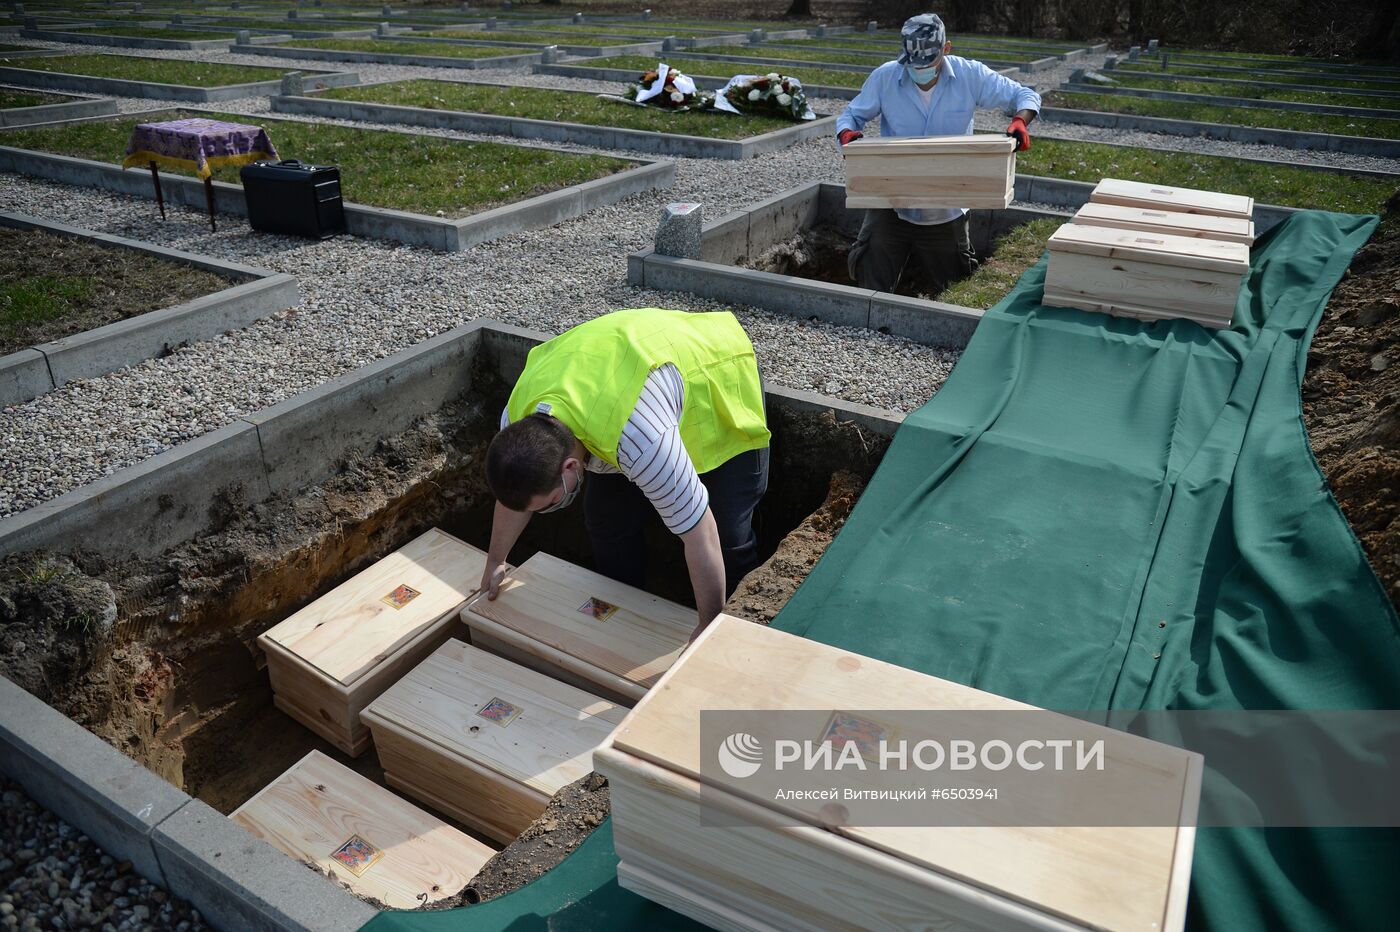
(156, 653)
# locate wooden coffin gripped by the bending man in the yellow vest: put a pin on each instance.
(582, 628)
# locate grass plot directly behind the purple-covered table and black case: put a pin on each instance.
(404, 171)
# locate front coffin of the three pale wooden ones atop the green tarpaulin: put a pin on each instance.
(1146, 276)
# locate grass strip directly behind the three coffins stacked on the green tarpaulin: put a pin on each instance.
(1268, 184)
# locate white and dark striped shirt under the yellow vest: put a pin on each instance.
(652, 456)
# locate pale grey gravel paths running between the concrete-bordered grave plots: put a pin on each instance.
(365, 300)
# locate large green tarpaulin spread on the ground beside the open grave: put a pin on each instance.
(1098, 513)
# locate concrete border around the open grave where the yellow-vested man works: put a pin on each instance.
(234, 880)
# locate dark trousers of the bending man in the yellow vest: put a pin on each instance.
(617, 514)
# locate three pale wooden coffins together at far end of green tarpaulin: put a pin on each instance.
(1153, 253)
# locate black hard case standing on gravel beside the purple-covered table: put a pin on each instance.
(293, 198)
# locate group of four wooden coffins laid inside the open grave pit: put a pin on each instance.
(478, 737)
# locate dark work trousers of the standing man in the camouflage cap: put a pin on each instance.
(891, 253)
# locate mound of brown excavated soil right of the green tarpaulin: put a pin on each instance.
(1352, 401)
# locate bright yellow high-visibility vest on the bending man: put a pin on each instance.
(591, 377)
